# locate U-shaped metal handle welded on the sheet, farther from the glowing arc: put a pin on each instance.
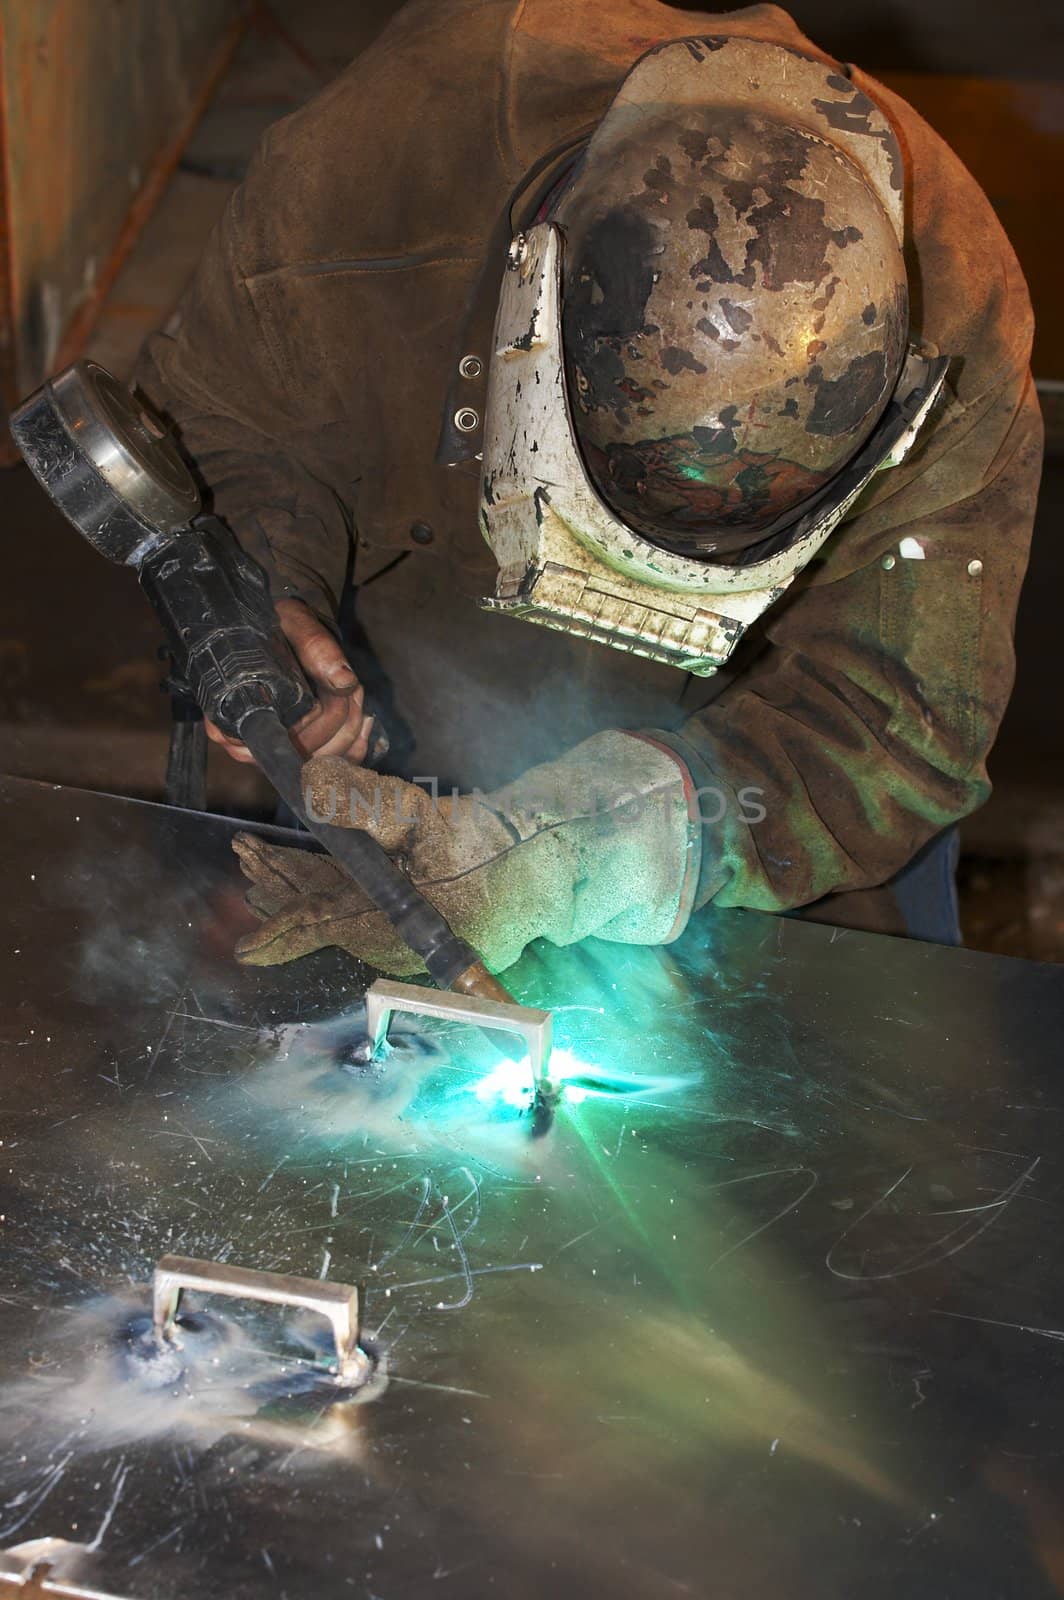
(338, 1303)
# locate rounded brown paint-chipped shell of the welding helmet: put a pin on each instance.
(735, 306)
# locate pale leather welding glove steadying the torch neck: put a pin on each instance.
(601, 842)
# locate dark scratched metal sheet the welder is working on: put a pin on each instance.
(788, 1324)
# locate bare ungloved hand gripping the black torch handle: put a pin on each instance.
(338, 724)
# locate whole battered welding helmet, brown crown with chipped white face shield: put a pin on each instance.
(702, 353)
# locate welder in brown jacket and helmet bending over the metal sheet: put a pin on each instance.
(631, 409)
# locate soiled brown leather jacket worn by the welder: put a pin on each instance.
(318, 354)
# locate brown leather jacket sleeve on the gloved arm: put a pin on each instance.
(868, 718)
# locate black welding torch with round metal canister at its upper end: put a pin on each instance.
(116, 473)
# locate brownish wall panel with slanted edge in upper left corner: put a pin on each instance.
(97, 102)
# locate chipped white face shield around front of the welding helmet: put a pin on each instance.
(567, 561)
